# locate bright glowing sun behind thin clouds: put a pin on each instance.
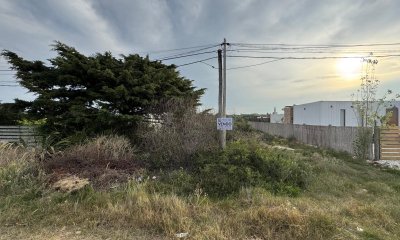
(349, 68)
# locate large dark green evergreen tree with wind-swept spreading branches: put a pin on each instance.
(97, 93)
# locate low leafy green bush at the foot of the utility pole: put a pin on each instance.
(242, 165)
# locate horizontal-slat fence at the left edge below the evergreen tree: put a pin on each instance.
(21, 134)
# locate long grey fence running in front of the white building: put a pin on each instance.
(338, 138)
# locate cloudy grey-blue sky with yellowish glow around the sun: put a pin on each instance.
(332, 30)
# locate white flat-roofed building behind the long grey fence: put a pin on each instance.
(336, 113)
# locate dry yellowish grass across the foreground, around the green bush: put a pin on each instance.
(345, 200)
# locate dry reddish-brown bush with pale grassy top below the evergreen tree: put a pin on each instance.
(104, 160)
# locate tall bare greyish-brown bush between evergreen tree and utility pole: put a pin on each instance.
(179, 133)
